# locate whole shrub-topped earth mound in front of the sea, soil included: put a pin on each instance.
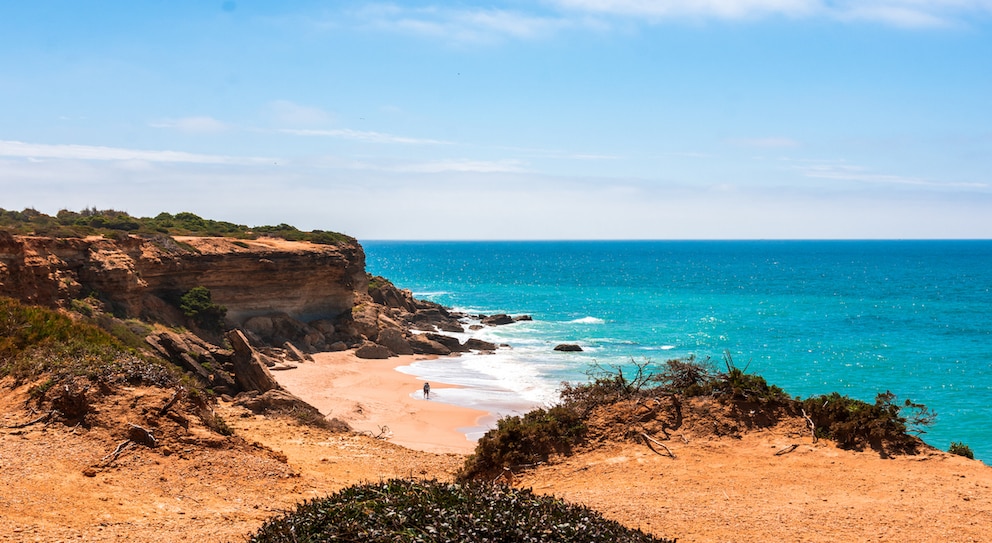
(652, 403)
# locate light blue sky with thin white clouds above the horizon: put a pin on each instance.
(555, 119)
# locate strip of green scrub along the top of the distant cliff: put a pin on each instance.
(110, 223)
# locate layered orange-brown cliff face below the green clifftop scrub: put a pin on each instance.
(138, 276)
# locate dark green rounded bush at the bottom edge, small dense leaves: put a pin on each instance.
(400, 511)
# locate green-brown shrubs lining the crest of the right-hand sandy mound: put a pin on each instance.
(523, 441)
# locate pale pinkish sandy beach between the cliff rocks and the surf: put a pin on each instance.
(372, 396)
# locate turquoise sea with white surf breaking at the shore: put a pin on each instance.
(856, 317)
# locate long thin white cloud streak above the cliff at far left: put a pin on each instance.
(93, 152)
